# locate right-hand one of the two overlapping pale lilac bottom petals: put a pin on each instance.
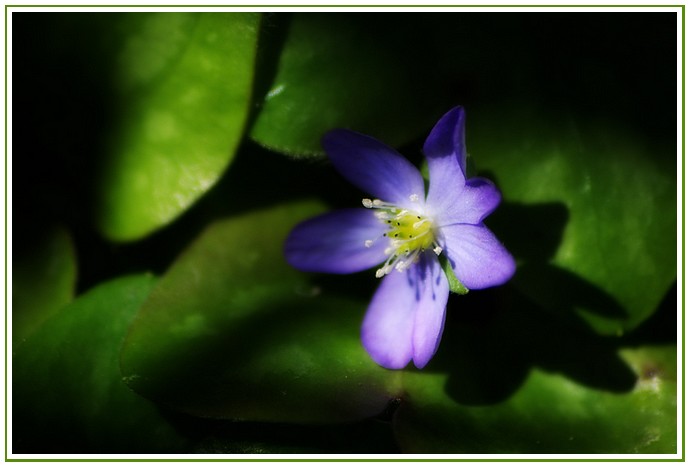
(431, 313)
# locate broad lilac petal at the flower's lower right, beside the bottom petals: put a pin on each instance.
(478, 259)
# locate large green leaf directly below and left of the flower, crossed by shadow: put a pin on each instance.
(232, 331)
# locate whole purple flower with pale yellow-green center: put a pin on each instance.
(405, 230)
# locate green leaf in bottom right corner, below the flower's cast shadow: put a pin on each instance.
(549, 414)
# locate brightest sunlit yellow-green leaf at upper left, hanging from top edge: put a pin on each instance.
(184, 84)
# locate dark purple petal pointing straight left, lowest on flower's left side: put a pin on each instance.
(334, 242)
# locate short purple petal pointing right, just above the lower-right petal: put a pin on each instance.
(467, 205)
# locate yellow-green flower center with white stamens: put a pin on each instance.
(409, 235)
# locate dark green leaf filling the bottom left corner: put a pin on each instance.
(67, 388)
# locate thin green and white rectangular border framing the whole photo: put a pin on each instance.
(296, 459)
